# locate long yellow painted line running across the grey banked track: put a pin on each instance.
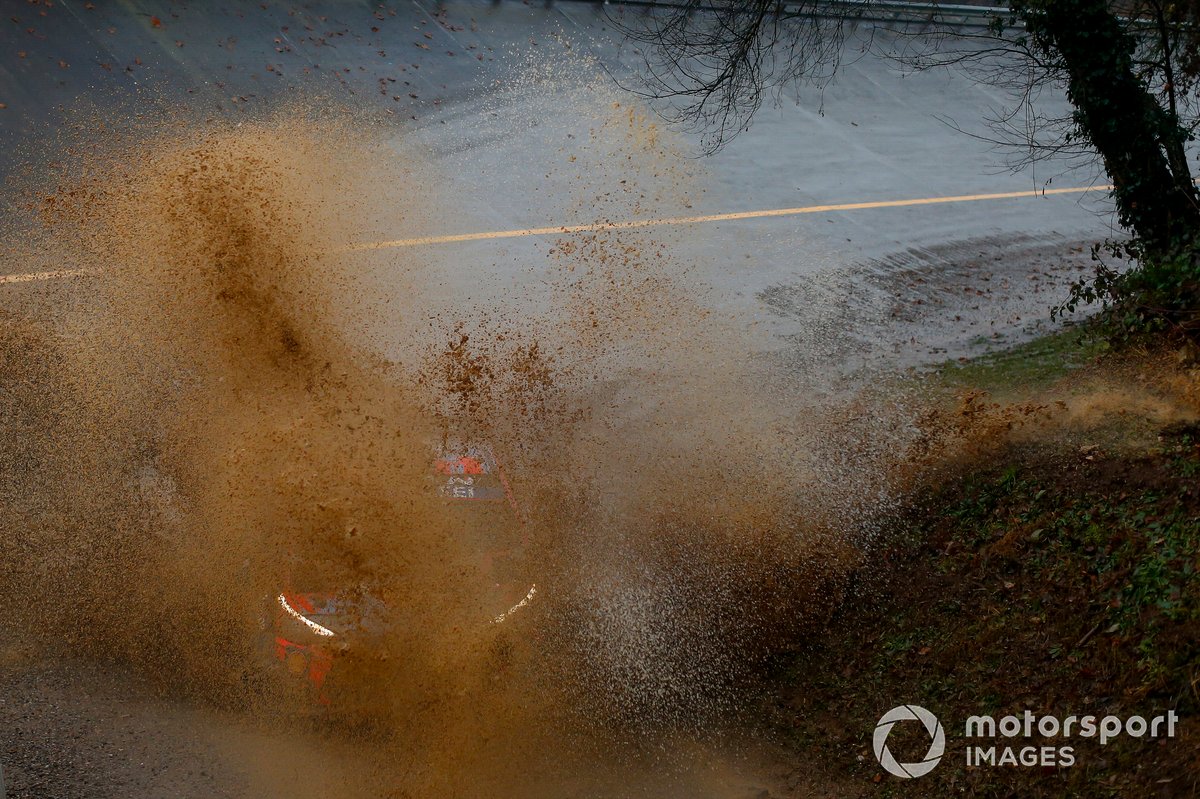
(639, 224)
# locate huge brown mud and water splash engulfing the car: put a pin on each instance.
(220, 412)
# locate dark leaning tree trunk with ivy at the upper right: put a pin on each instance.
(1135, 135)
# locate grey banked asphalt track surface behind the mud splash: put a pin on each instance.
(877, 135)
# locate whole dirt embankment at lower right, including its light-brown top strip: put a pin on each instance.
(1049, 566)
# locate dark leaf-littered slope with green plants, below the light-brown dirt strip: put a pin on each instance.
(1058, 586)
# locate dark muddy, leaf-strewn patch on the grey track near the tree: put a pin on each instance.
(928, 305)
